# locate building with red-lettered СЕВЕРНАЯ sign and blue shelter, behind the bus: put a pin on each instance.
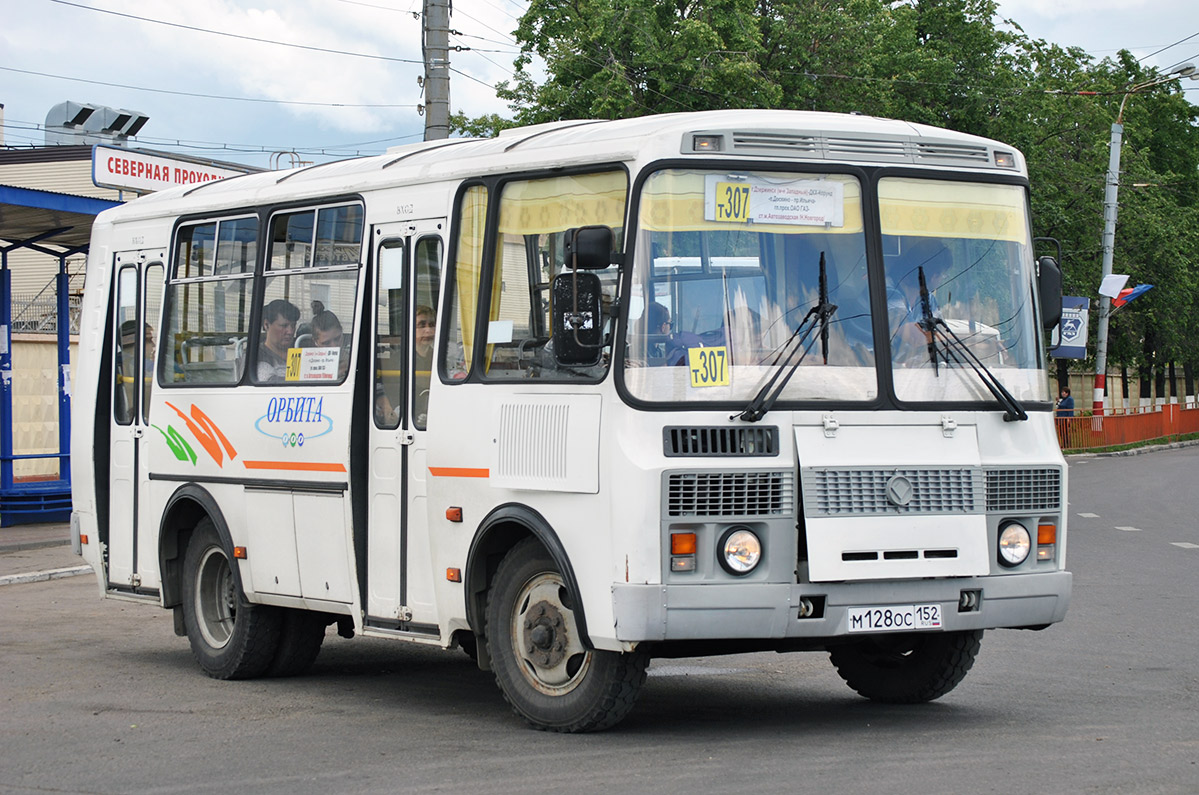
(49, 198)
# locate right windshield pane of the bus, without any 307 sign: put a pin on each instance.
(960, 279)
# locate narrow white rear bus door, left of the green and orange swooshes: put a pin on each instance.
(136, 306)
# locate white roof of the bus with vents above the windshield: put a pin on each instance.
(794, 136)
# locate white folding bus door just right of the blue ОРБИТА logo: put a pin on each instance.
(400, 564)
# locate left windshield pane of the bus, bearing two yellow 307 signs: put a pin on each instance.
(731, 273)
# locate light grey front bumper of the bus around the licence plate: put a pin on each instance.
(763, 611)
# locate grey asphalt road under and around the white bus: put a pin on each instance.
(101, 697)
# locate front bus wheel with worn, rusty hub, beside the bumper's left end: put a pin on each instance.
(543, 666)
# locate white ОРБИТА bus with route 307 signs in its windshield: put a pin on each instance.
(585, 395)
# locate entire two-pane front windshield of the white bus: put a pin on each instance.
(742, 274)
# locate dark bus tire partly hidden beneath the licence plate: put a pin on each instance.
(907, 668)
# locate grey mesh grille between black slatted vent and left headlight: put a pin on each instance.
(731, 495)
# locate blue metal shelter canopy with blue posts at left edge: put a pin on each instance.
(58, 225)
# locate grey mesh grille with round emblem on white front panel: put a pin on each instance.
(854, 492)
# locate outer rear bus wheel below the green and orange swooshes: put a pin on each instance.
(231, 639)
